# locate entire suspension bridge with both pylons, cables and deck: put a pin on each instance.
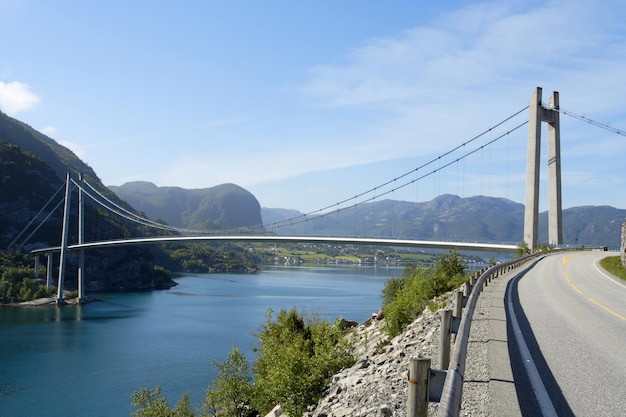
(538, 114)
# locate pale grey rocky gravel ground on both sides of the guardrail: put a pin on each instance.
(377, 384)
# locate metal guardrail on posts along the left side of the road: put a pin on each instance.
(427, 384)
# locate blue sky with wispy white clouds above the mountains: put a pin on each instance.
(308, 103)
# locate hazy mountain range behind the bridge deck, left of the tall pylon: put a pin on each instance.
(447, 217)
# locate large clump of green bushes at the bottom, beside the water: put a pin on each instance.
(296, 358)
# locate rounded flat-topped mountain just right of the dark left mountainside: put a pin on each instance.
(222, 206)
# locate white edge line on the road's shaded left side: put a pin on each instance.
(545, 404)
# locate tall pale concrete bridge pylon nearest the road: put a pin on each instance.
(537, 115)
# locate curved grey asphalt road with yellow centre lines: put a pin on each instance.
(572, 316)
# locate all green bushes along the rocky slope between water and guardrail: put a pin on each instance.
(297, 355)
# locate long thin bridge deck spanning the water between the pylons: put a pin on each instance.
(460, 246)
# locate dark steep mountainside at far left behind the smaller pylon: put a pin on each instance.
(32, 168)
